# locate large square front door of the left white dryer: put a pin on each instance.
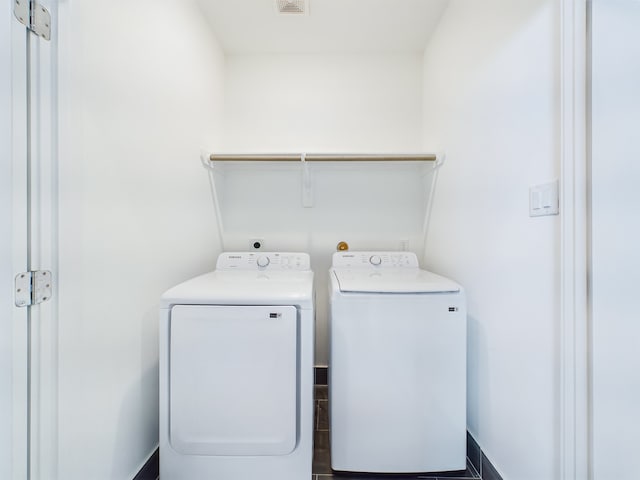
(233, 376)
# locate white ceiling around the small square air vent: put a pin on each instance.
(381, 26)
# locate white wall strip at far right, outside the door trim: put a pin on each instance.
(615, 236)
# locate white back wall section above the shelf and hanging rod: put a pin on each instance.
(323, 103)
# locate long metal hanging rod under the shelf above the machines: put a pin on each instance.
(321, 157)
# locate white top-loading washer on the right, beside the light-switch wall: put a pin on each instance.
(397, 366)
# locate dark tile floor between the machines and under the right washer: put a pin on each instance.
(322, 455)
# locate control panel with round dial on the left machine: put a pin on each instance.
(263, 261)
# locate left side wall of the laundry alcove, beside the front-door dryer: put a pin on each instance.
(141, 95)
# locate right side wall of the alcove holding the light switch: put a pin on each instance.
(491, 90)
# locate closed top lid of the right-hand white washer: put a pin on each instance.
(392, 280)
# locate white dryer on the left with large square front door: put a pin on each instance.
(236, 371)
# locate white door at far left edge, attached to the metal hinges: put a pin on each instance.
(13, 246)
